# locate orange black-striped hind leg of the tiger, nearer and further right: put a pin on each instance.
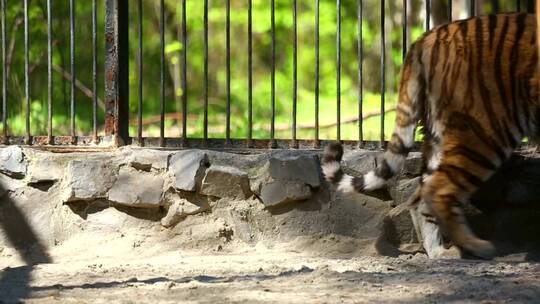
(464, 166)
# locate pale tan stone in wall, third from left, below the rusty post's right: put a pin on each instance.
(137, 188)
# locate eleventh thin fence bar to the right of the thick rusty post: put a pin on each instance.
(360, 75)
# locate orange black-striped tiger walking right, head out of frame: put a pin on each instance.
(472, 87)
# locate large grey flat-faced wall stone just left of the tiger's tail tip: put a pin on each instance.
(301, 168)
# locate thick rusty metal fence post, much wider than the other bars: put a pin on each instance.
(117, 70)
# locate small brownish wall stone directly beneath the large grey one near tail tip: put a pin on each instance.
(279, 192)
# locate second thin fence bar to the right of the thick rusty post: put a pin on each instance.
(162, 73)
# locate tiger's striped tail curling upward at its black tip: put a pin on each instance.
(411, 95)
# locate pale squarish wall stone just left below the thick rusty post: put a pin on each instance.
(89, 179)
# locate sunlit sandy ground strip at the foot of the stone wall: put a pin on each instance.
(264, 276)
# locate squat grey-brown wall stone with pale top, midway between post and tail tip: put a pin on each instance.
(221, 181)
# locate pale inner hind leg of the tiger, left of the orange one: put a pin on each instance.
(428, 231)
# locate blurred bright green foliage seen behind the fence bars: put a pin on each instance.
(371, 96)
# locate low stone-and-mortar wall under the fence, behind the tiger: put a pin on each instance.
(208, 200)
